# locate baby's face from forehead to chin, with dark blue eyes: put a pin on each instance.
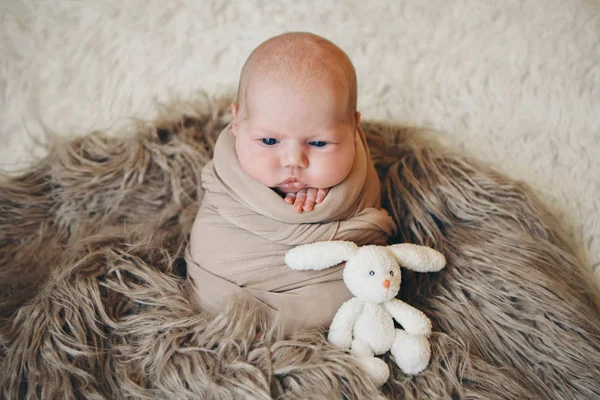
(293, 137)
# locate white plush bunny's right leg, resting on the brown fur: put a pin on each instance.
(411, 352)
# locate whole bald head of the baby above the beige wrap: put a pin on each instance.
(295, 120)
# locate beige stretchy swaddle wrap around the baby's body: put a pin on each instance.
(243, 230)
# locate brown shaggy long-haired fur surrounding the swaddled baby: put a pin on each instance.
(93, 300)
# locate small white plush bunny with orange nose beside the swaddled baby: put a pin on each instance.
(364, 323)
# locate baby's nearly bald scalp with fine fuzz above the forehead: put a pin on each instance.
(300, 60)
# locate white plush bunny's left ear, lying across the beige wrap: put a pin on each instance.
(320, 255)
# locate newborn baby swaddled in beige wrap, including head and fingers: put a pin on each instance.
(292, 168)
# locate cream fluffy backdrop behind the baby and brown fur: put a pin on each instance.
(513, 83)
